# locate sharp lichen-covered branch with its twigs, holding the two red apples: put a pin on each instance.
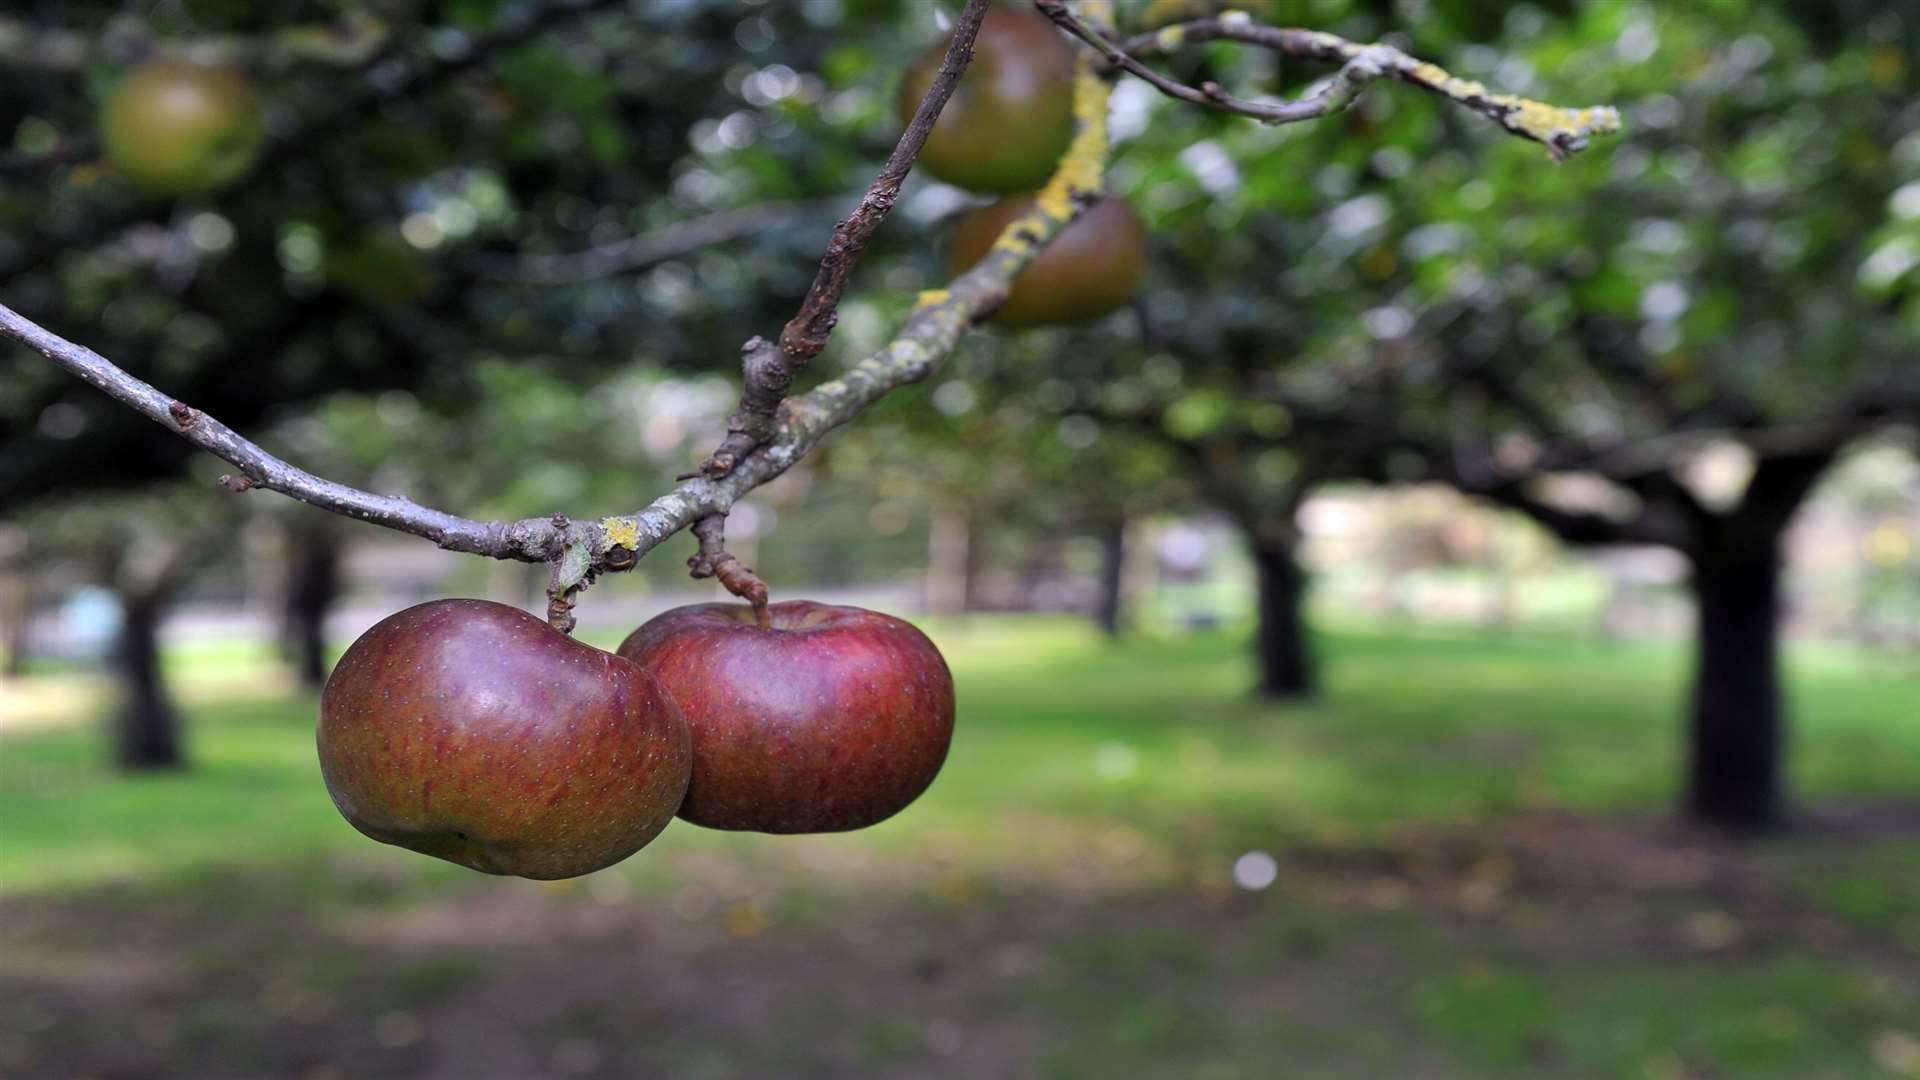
(786, 430)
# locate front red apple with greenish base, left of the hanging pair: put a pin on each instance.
(475, 733)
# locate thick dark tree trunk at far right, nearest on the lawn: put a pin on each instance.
(1737, 749)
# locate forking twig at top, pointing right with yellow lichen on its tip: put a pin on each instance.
(1560, 130)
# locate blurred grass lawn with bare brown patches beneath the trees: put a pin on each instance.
(1462, 868)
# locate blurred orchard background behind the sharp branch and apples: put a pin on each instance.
(1458, 620)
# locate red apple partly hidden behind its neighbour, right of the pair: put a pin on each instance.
(827, 720)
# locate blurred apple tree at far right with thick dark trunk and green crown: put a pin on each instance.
(1739, 283)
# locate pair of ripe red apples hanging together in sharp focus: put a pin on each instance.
(475, 733)
